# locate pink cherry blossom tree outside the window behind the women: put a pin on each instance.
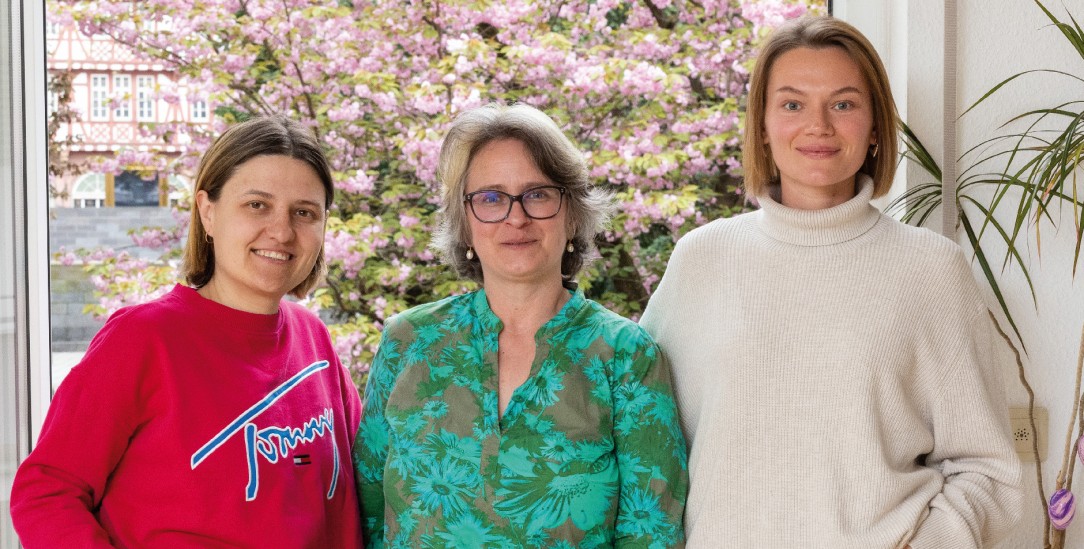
(652, 91)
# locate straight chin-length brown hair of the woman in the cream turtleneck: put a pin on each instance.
(819, 33)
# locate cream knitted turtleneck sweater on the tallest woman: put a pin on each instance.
(834, 371)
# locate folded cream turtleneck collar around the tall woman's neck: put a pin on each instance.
(820, 227)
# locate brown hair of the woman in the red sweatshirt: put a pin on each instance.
(265, 136)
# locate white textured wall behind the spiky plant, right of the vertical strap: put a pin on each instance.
(999, 39)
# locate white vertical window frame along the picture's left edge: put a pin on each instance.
(28, 386)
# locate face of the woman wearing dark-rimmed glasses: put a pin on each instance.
(519, 249)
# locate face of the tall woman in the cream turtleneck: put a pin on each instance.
(819, 125)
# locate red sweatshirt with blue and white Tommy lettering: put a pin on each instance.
(193, 425)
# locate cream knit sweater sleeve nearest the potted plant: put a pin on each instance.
(982, 499)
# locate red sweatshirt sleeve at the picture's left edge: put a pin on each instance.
(97, 410)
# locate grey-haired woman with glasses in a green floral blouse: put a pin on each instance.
(522, 415)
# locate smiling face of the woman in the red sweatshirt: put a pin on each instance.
(268, 231)
